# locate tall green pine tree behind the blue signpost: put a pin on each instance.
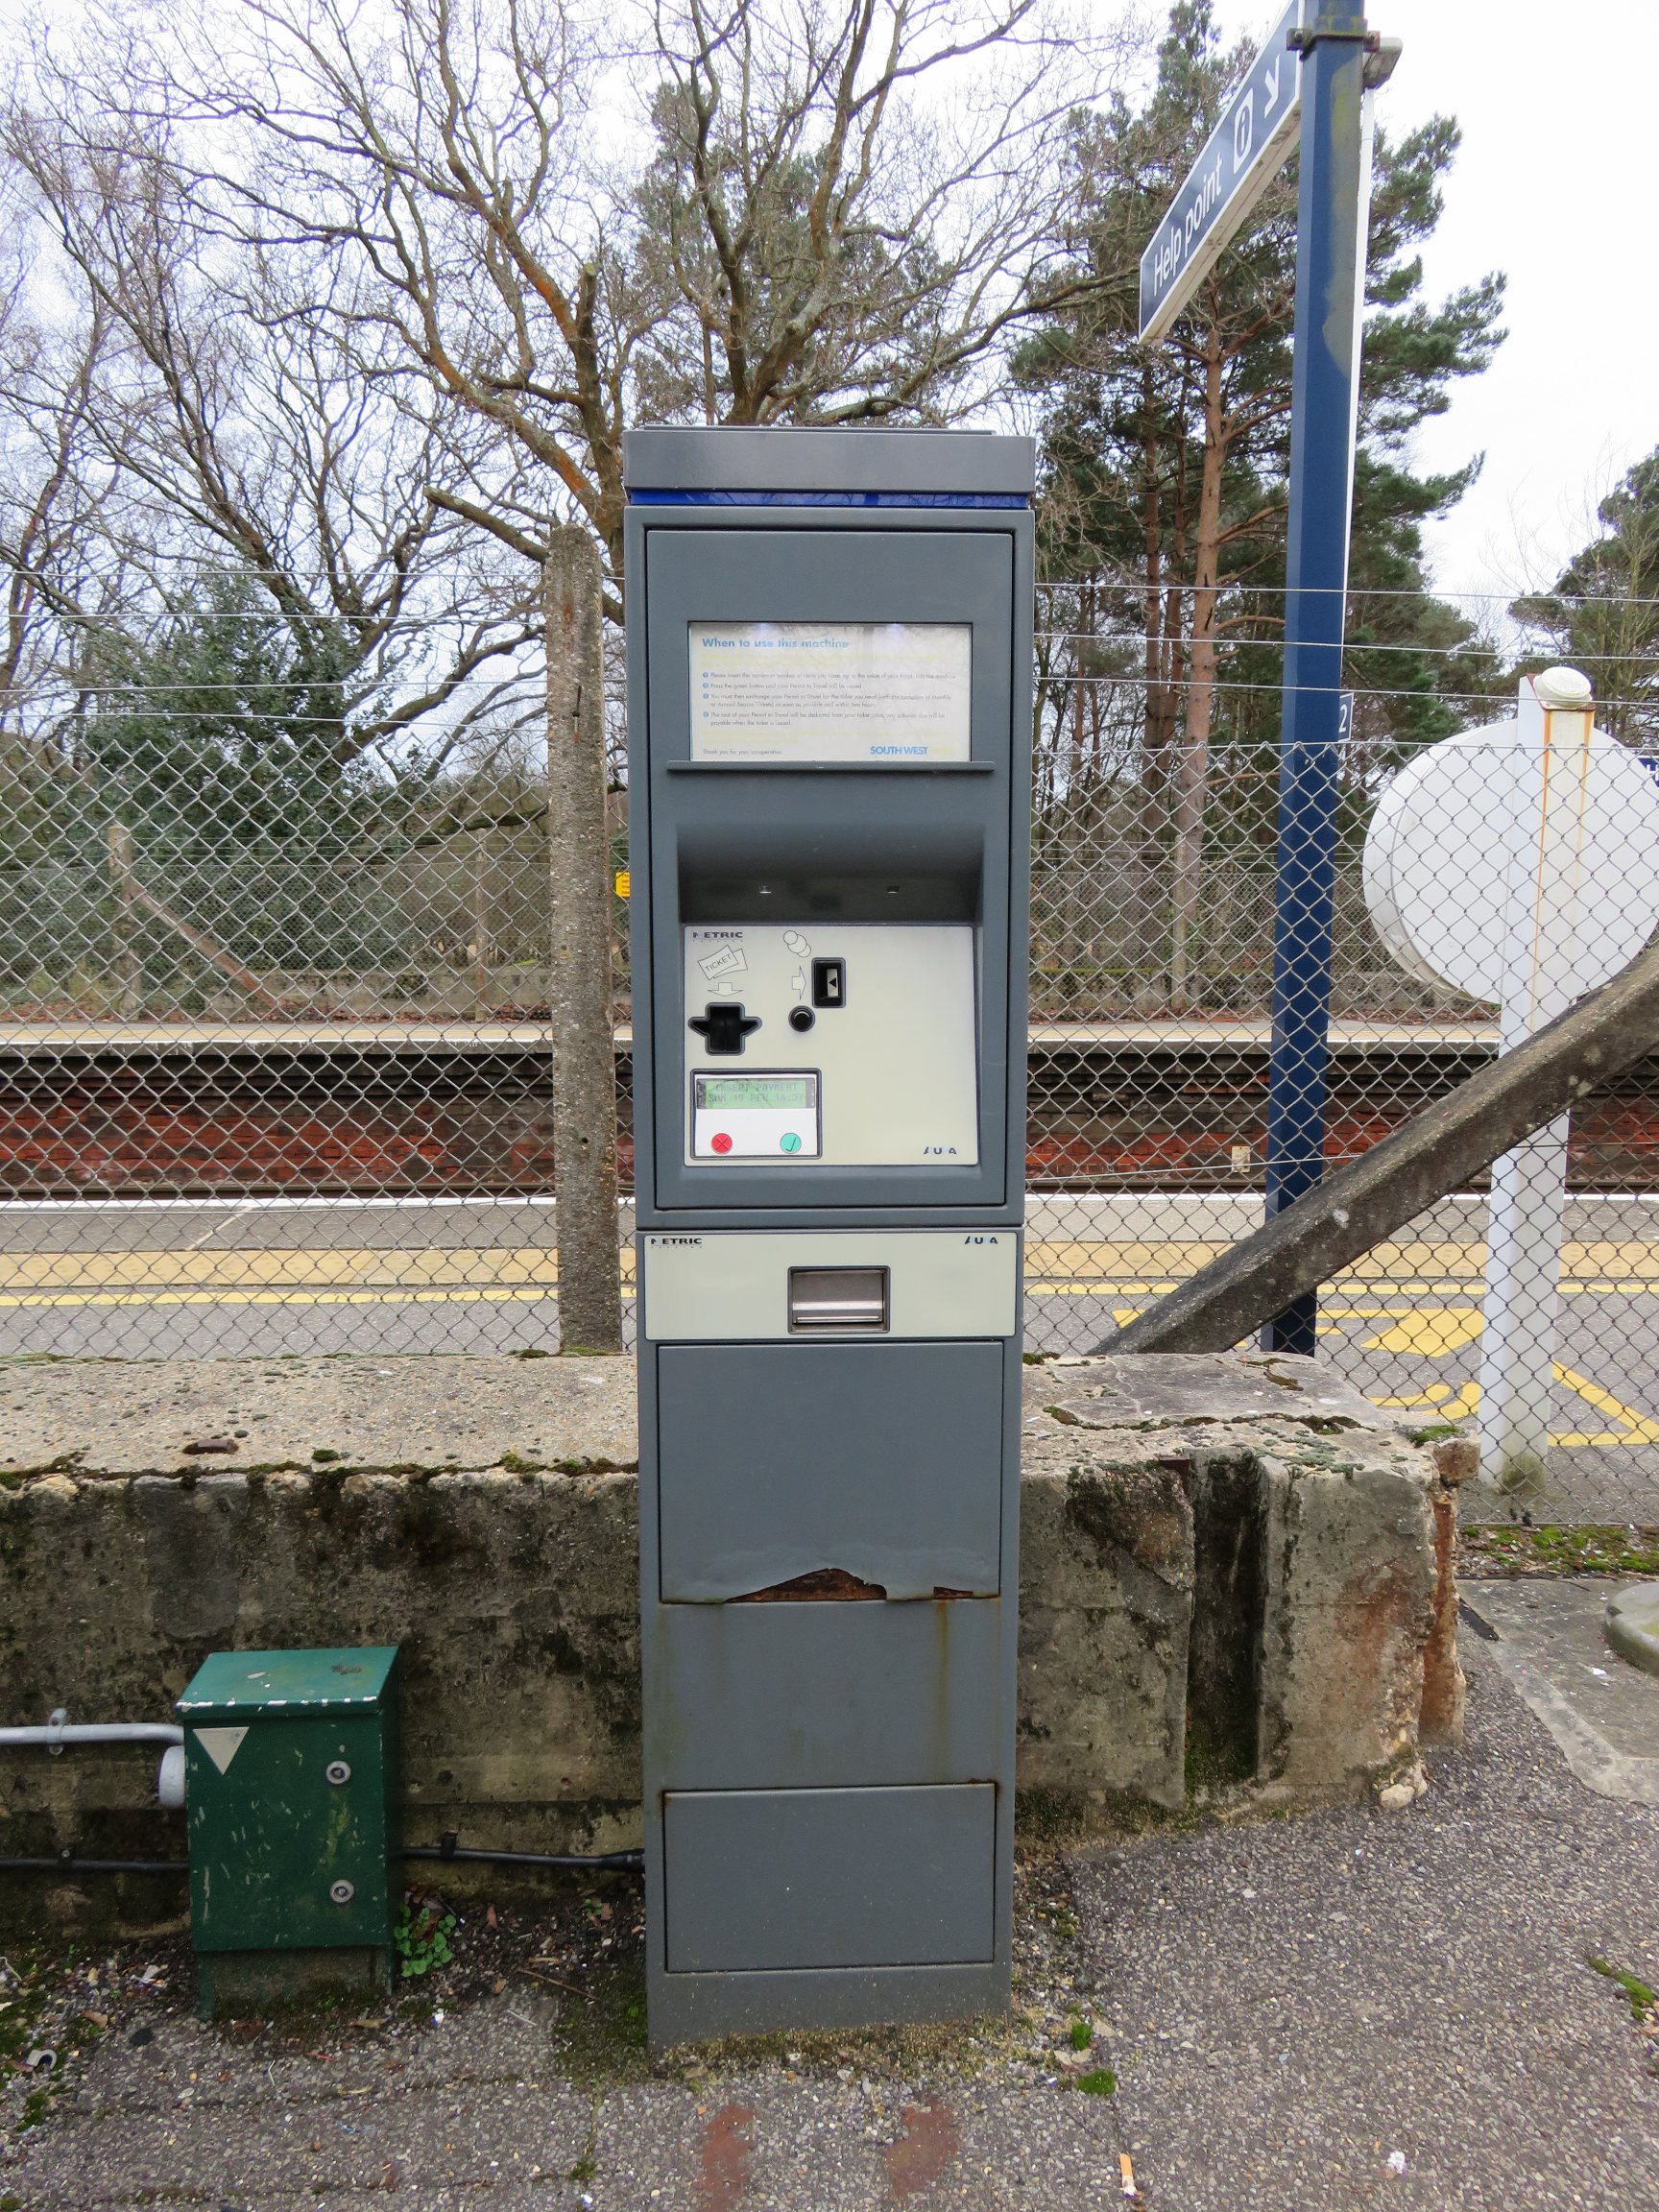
(1165, 488)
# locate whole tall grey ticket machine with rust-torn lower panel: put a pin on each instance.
(831, 762)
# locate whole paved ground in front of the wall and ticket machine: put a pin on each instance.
(1311, 2014)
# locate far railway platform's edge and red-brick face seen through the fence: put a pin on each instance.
(149, 1109)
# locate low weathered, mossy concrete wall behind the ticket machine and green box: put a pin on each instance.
(1224, 1561)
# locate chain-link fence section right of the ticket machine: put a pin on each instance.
(1151, 1030)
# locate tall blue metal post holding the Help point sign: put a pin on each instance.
(1322, 497)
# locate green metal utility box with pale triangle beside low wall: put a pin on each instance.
(293, 1806)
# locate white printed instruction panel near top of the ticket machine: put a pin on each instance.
(831, 691)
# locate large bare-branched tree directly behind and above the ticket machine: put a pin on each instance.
(820, 213)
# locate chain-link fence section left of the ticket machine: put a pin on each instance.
(275, 1063)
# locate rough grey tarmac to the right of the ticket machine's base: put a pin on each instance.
(1297, 2003)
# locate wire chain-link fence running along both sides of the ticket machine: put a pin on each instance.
(275, 1061)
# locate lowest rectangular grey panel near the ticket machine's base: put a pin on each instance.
(802, 1879)
